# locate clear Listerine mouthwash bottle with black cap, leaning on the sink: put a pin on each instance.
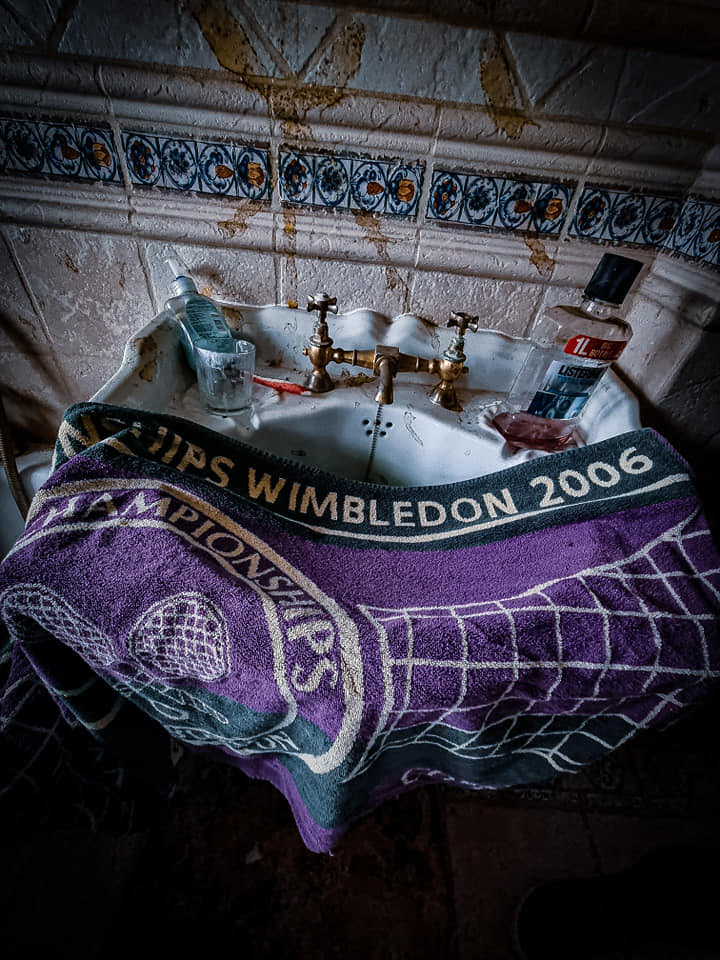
(571, 348)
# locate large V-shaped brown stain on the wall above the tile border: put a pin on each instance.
(288, 99)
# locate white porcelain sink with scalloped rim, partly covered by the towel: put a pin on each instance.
(412, 442)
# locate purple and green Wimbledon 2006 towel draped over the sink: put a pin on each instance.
(349, 641)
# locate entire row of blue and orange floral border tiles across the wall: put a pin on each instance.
(688, 227)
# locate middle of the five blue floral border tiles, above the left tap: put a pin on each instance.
(350, 183)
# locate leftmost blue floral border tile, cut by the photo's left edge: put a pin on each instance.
(58, 150)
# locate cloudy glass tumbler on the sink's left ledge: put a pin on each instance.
(225, 376)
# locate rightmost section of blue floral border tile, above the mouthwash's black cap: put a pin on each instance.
(690, 227)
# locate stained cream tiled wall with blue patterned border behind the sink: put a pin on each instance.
(477, 158)
